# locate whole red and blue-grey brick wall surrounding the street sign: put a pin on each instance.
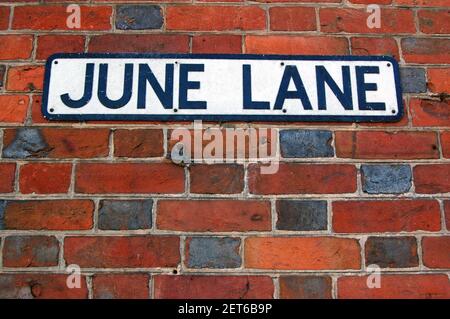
(106, 197)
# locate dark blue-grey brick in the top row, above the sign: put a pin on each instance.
(139, 17)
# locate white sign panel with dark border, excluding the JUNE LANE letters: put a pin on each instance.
(221, 87)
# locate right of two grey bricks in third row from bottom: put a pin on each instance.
(302, 215)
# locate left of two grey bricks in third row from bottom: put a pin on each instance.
(125, 214)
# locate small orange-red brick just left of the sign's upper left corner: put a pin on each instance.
(25, 78)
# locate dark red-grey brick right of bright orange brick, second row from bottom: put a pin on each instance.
(392, 252)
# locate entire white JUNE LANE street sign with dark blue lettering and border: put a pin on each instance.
(184, 87)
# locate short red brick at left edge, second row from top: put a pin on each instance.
(16, 47)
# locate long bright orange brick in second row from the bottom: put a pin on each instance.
(302, 253)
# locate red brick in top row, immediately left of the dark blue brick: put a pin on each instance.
(55, 18)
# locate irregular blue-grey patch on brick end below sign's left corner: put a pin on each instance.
(28, 142)
